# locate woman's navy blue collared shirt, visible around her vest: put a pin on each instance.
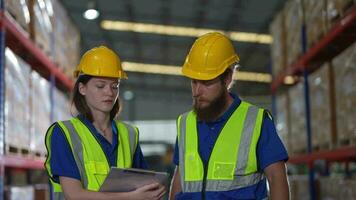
(62, 160)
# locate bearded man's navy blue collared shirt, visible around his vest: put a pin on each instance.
(270, 150)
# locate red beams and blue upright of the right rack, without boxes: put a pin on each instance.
(340, 36)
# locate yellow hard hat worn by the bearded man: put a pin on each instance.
(210, 55)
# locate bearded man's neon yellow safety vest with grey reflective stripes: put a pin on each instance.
(233, 162)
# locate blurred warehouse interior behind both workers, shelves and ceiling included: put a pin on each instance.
(310, 75)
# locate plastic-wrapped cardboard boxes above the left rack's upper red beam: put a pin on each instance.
(50, 28)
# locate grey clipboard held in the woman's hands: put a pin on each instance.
(126, 180)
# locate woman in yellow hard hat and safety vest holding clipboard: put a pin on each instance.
(82, 149)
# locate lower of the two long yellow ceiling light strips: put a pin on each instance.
(176, 70)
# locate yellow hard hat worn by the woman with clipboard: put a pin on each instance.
(100, 61)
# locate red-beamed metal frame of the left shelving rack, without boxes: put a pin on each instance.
(12, 37)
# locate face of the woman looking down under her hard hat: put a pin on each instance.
(100, 93)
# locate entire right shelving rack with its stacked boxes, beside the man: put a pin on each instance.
(315, 116)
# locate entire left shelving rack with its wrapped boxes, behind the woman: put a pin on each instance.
(33, 92)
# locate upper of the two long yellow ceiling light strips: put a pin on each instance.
(182, 31)
